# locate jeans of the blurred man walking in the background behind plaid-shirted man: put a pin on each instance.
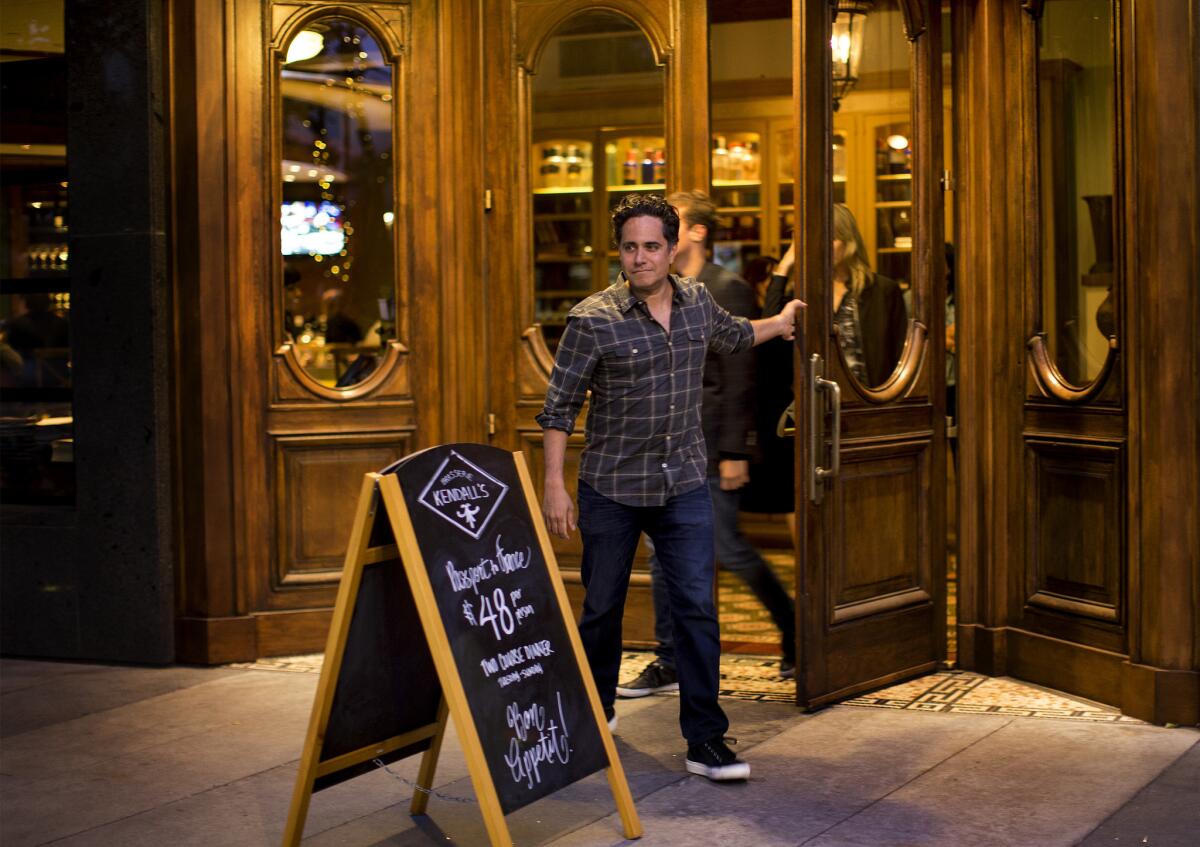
(737, 556)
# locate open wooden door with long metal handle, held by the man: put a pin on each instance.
(871, 592)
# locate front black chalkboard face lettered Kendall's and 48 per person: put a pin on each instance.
(503, 620)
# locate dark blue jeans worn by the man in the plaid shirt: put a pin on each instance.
(682, 532)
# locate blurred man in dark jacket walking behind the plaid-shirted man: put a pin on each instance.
(728, 419)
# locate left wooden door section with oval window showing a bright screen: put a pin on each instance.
(331, 307)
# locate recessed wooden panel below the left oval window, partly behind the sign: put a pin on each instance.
(317, 482)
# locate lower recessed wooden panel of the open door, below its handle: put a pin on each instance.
(881, 546)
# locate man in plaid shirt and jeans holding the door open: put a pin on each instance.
(639, 347)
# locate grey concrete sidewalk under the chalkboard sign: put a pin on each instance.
(104, 755)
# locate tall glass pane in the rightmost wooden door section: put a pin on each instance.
(1076, 131)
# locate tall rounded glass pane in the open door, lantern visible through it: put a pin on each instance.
(873, 227)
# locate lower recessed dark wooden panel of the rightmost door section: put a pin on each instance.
(1075, 519)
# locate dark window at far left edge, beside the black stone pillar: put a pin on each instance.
(37, 416)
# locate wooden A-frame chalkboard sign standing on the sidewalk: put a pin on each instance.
(452, 606)
